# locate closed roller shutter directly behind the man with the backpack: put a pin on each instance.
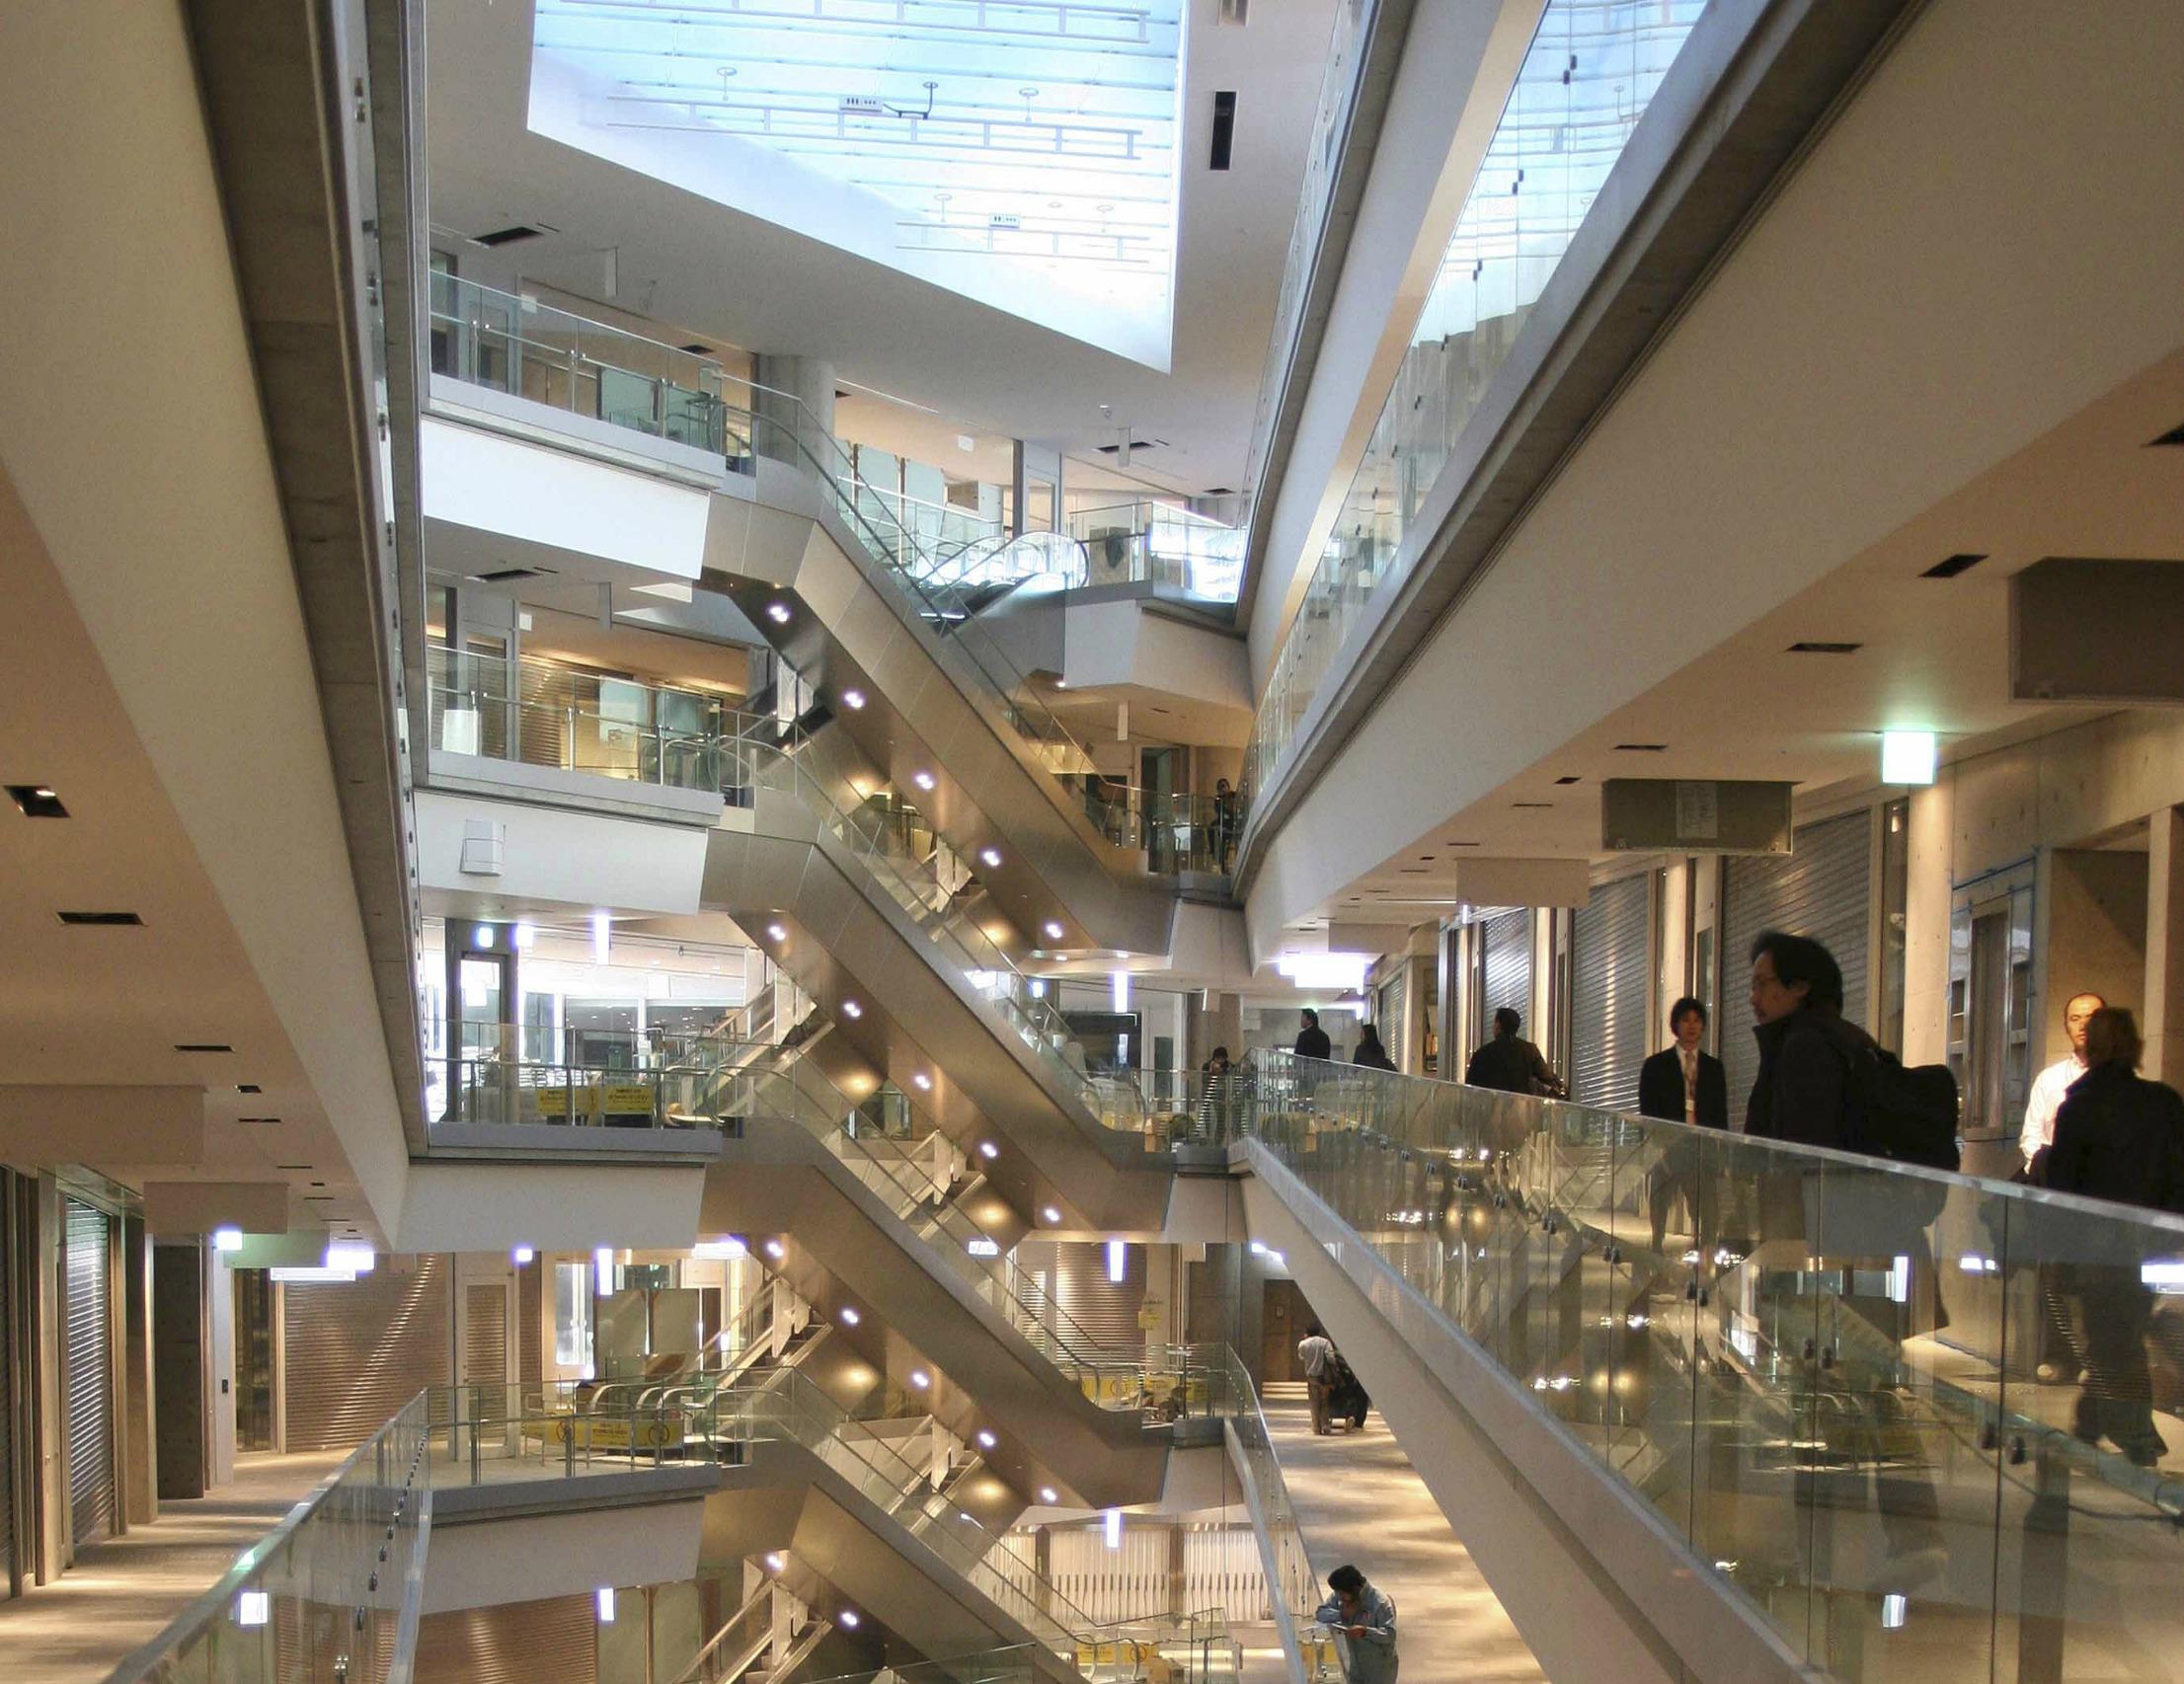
(1820, 890)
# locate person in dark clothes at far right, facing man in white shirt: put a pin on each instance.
(2117, 1137)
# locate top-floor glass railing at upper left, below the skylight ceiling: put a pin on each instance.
(549, 357)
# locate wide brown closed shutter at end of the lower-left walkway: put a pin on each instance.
(357, 1351)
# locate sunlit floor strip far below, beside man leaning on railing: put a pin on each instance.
(1360, 1502)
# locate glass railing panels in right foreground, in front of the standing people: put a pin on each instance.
(1818, 1368)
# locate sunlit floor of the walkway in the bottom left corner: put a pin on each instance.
(121, 1593)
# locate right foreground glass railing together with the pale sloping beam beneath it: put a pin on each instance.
(1759, 1410)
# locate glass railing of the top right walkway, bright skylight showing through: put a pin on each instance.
(1591, 71)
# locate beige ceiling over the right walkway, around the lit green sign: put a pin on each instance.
(1936, 656)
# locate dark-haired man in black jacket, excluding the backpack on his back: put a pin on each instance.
(1803, 1091)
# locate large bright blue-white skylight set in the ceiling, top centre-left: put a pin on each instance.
(1019, 152)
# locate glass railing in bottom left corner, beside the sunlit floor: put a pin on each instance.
(335, 1589)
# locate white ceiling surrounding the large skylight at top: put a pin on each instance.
(680, 259)
